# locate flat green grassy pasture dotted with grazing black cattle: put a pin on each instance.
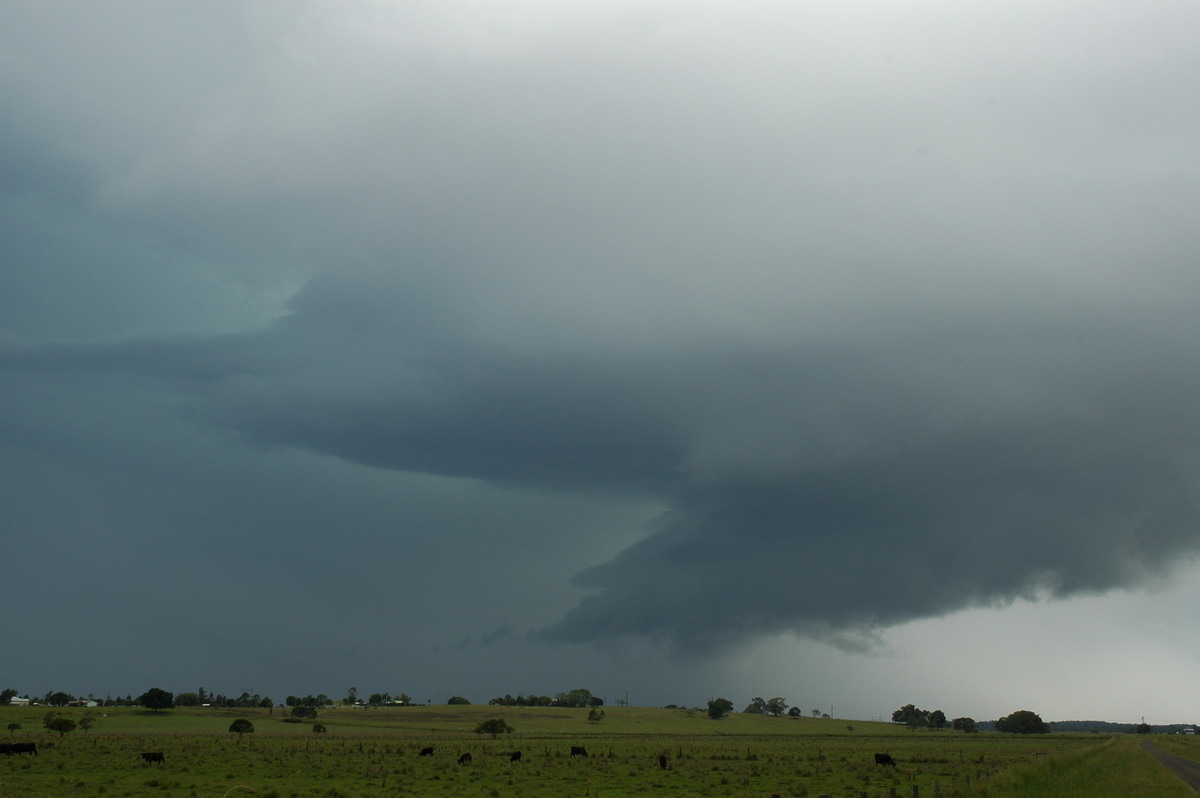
(375, 753)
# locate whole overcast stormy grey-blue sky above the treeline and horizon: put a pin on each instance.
(837, 351)
